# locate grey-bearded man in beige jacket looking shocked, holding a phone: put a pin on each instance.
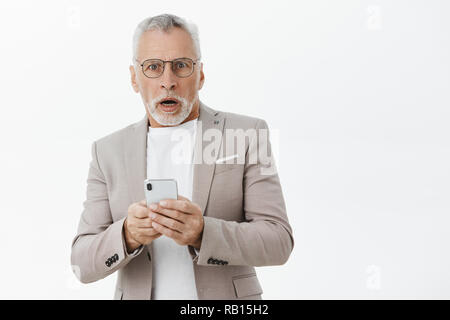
(228, 218)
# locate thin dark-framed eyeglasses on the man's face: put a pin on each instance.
(181, 67)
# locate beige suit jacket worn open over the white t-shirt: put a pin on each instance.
(245, 221)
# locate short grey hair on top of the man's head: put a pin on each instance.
(165, 22)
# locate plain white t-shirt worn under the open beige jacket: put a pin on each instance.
(170, 156)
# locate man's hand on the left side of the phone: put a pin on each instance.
(137, 227)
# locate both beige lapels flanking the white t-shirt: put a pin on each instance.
(135, 147)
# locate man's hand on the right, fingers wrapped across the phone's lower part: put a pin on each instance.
(181, 220)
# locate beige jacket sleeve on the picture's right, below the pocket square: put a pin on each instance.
(265, 237)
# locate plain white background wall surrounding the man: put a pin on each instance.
(358, 92)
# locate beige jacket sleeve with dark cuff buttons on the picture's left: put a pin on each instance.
(99, 247)
